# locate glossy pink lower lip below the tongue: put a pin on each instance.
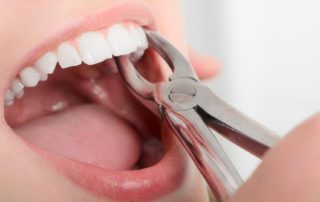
(150, 183)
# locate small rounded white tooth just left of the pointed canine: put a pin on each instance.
(29, 77)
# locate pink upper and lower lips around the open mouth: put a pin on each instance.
(146, 184)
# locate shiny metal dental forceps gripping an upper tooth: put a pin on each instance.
(197, 115)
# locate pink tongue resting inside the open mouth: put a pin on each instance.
(87, 133)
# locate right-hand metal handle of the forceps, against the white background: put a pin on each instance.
(234, 125)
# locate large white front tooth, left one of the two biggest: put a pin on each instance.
(94, 48)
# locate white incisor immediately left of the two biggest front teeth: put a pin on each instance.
(68, 56)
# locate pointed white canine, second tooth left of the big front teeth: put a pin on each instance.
(47, 63)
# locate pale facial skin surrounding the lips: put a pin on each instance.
(24, 175)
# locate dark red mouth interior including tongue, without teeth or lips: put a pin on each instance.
(87, 114)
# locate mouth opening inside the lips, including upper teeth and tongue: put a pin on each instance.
(74, 112)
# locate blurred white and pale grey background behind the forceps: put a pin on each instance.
(270, 56)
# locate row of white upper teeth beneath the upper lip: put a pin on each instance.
(90, 48)
